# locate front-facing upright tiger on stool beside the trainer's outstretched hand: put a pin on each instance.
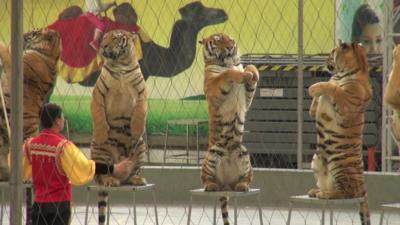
(119, 110)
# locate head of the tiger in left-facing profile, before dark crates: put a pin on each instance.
(346, 57)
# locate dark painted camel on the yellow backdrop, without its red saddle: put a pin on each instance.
(157, 60)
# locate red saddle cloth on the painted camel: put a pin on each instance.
(77, 33)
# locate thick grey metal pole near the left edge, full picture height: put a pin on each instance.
(16, 111)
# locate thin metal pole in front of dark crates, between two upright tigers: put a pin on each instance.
(300, 84)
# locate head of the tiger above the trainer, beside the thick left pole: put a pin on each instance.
(45, 41)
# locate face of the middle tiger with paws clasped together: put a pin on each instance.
(220, 49)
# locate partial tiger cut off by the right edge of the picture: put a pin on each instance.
(392, 94)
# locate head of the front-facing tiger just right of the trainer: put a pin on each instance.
(118, 45)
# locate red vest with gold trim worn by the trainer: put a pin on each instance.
(49, 181)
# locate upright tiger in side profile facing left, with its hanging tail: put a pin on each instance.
(338, 107)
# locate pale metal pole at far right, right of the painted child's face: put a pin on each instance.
(387, 64)
